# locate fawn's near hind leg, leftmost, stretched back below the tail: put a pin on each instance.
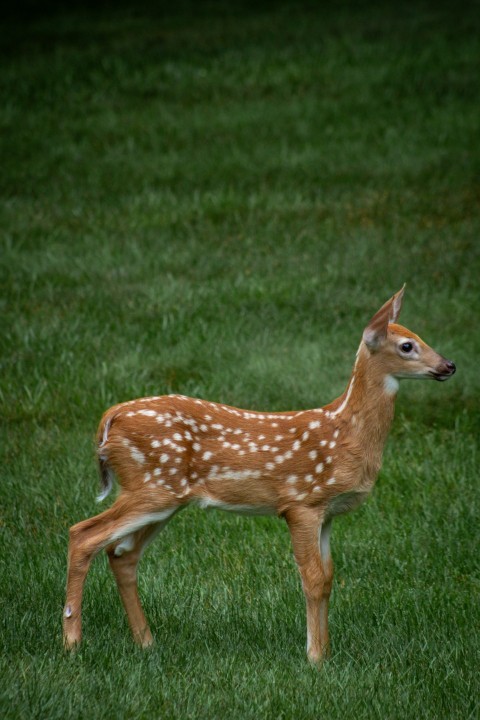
(89, 537)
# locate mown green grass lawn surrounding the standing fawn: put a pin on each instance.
(213, 200)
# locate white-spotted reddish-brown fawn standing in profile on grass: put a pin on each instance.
(307, 466)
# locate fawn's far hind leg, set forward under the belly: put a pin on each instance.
(124, 557)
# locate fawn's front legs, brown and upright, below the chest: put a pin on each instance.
(305, 525)
